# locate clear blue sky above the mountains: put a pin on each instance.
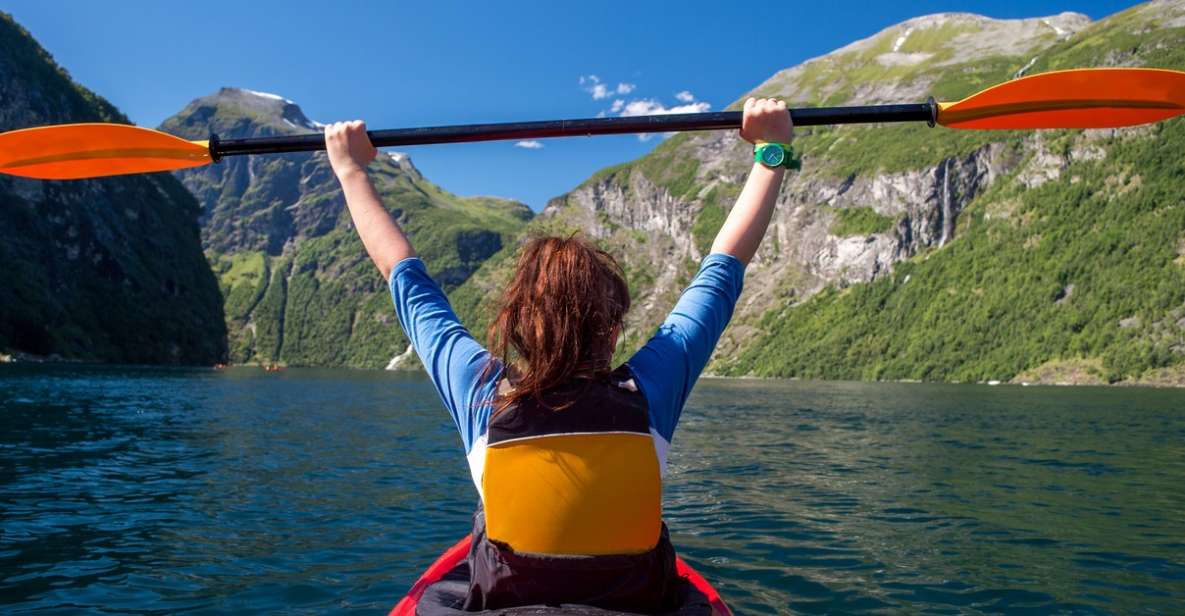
(405, 65)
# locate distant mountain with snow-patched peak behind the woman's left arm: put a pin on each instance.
(299, 288)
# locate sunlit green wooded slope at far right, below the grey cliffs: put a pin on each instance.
(1080, 274)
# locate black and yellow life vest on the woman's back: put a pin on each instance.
(582, 480)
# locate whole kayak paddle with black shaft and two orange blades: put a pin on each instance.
(1073, 99)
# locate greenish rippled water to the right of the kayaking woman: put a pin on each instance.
(849, 498)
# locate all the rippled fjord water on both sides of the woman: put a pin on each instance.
(321, 492)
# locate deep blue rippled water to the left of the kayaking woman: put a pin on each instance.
(163, 491)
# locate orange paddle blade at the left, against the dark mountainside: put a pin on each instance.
(72, 152)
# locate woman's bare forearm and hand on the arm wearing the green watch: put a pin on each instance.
(765, 120)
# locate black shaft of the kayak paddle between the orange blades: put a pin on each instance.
(573, 129)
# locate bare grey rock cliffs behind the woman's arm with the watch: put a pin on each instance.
(661, 241)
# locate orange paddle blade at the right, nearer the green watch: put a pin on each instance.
(1074, 99)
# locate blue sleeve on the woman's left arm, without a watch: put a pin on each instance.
(454, 361)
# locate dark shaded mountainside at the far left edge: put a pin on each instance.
(111, 269)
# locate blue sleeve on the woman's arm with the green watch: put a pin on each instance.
(669, 365)
